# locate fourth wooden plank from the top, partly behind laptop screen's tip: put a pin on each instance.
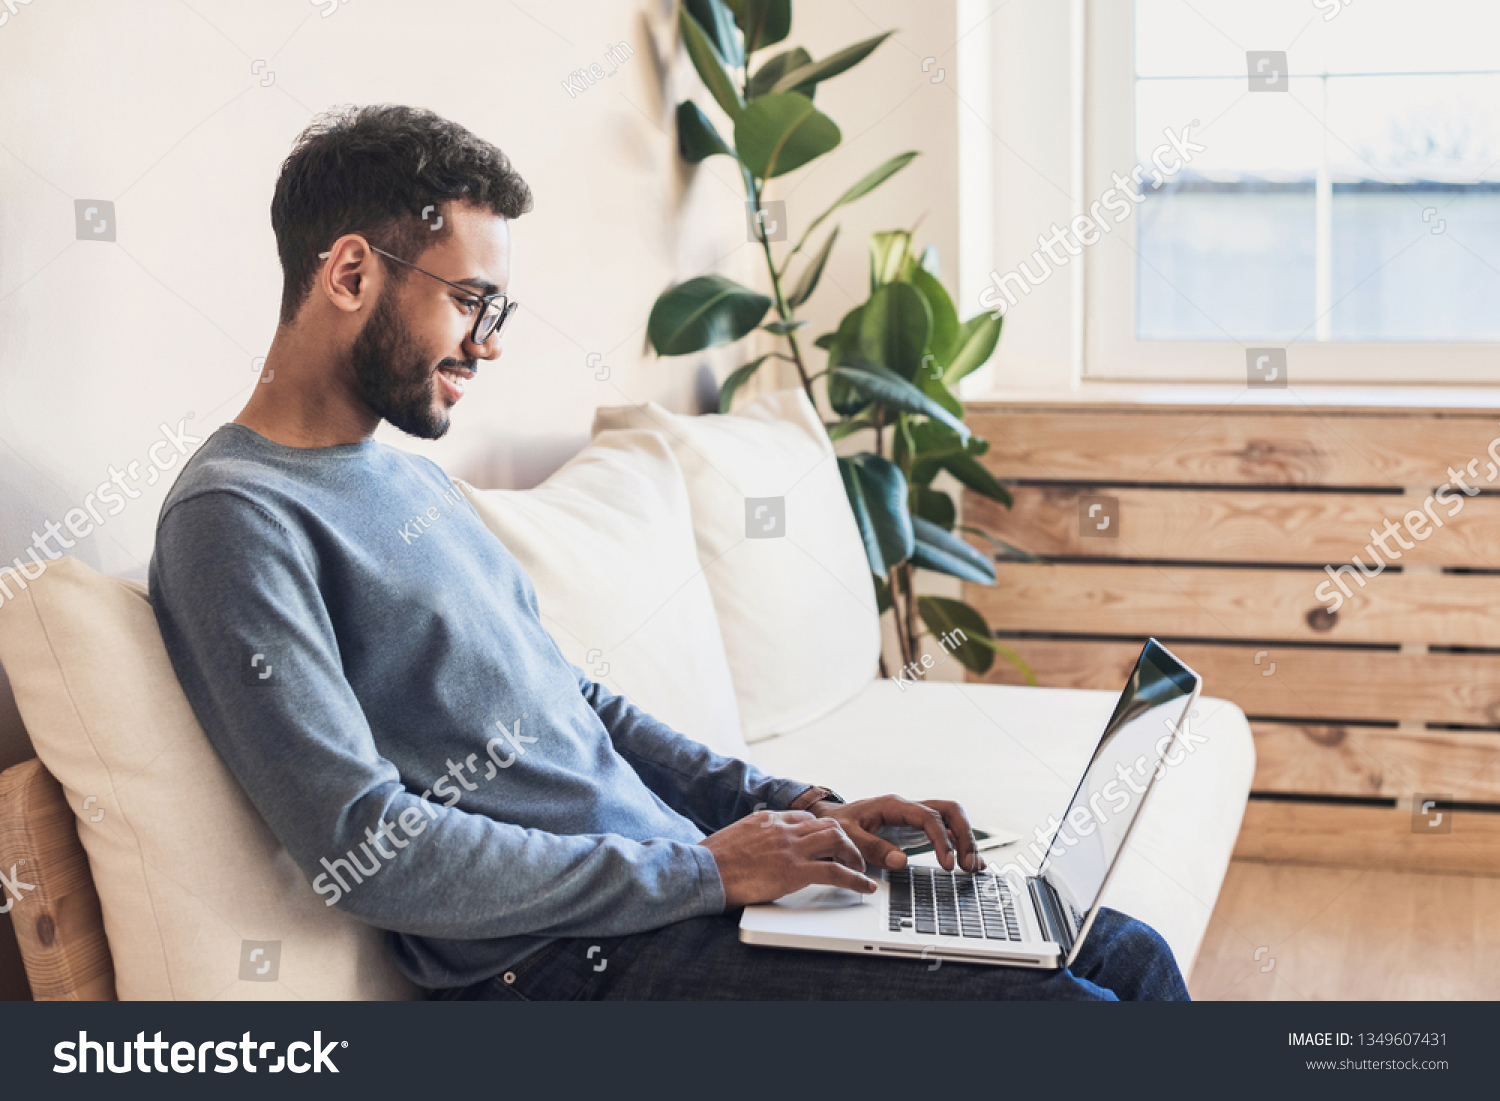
(1301, 683)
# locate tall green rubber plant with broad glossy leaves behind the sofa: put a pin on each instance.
(893, 362)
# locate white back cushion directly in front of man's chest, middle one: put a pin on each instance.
(608, 542)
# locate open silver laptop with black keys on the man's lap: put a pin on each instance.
(1034, 911)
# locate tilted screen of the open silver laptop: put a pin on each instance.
(1136, 740)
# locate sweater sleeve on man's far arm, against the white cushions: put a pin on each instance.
(698, 784)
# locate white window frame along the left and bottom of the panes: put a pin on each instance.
(1112, 353)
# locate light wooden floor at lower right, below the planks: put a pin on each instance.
(1286, 932)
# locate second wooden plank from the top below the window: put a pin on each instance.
(1243, 527)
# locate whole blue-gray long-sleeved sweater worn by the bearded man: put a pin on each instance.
(370, 662)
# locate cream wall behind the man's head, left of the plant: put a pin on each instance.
(155, 107)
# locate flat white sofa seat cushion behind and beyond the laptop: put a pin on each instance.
(1013, 757)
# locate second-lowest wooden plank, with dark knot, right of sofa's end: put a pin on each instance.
(1382, 763)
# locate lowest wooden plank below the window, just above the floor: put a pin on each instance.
(1364, 838)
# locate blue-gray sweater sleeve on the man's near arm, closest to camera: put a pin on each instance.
(238, 599)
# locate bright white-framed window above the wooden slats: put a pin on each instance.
(1342, 199)
